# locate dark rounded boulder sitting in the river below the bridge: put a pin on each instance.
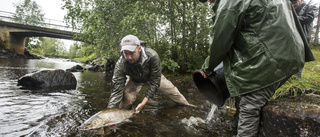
(48, 79)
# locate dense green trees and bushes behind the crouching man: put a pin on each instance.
(183, 24)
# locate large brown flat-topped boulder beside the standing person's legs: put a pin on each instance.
(295, 116)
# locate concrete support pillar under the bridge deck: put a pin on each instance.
(17, 43)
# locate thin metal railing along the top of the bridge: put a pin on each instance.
(48, 23)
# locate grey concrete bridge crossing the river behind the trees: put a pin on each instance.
(18, 33)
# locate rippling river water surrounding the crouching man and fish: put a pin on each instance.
(60, 112)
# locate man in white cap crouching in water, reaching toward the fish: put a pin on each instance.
(138, 66)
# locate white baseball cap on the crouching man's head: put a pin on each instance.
(129, 42)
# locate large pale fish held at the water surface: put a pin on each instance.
(107, 117)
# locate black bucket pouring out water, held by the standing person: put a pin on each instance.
(214, 87)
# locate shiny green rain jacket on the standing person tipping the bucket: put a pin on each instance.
(259, 41)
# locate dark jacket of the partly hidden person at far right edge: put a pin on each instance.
(306, 14)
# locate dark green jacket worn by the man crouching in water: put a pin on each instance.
(147, 69)
